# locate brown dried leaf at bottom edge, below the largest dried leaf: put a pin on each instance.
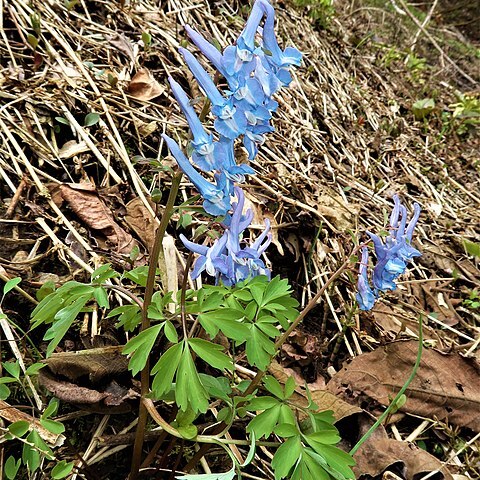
(380, 455)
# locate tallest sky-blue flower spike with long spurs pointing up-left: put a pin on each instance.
(254, 69)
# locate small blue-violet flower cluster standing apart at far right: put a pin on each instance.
(392, 256)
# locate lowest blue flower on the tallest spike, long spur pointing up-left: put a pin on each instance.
(216, 197)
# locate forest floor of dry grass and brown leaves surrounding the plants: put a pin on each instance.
(387, 101)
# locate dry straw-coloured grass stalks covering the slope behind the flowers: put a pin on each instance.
(345, 141)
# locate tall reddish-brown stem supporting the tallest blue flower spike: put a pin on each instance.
(150, 286)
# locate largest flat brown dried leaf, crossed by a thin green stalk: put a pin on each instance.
(446, 385)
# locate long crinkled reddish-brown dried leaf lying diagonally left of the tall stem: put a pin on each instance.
(83, 199)
